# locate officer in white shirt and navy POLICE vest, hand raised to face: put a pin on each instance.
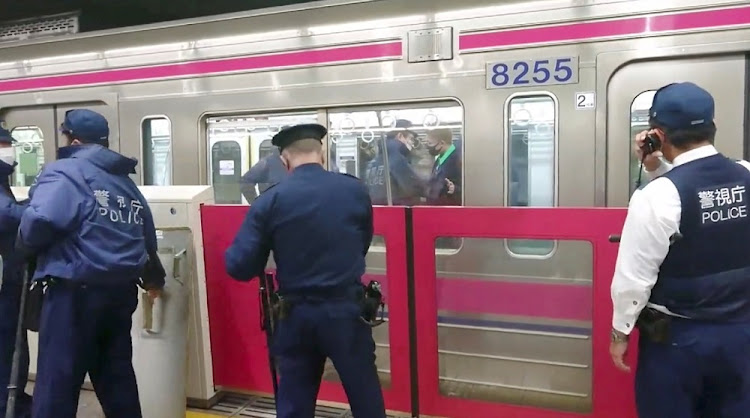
(683, 271)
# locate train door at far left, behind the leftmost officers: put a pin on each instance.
(36, 134)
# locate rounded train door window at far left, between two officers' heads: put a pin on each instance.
(29, 154)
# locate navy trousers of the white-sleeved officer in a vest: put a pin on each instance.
(703, 371)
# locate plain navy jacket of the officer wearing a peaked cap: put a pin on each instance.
(318, 225)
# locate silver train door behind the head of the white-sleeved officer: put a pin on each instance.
(629, 96)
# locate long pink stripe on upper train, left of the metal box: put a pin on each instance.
(210, 67)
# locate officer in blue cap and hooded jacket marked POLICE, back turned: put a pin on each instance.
(94, 237)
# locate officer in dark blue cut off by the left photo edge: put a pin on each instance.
(12, 282)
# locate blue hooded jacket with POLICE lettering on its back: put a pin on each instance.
(87, 221)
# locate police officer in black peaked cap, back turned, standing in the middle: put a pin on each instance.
(319, 226)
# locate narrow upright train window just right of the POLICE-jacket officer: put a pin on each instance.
(156, 134)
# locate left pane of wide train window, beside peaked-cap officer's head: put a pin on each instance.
(231, 144)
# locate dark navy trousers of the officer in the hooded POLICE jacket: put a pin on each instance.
(86, 329)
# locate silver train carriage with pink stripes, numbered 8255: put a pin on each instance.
(197, 101)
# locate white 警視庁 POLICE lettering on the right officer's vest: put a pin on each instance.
(722, 203)
